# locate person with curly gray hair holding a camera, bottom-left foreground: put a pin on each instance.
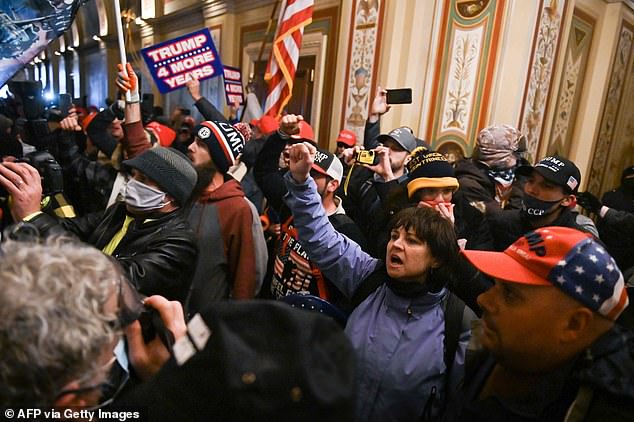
(63, 310)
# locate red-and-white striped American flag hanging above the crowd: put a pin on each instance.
(280, 71)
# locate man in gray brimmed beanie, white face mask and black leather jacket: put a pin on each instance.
(146, 232)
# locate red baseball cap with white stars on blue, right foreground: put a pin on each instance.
(564, 257)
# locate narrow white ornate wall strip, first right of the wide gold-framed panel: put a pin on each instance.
(540, 77)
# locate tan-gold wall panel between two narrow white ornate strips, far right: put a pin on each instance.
(571, 84)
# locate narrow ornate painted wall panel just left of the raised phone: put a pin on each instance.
(363, 42)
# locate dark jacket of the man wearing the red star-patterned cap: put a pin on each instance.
(606, 370)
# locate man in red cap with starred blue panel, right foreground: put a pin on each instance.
(551, 347)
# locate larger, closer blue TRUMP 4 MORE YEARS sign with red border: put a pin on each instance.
(171, 62)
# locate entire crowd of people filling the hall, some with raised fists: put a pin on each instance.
(199, 270)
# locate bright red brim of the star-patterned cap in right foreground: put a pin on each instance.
(504, 267)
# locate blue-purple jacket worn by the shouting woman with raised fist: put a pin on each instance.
(398, 341)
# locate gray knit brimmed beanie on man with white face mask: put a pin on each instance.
(169, 168)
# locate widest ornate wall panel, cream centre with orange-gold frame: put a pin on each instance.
(464, 71)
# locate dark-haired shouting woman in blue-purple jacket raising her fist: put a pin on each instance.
(398, 330)
